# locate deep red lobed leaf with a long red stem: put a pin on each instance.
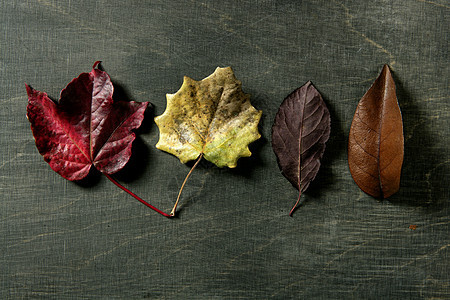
(85, 128)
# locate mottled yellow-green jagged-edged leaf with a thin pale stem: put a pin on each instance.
(211, 118)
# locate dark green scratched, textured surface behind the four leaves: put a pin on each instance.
(233, 238)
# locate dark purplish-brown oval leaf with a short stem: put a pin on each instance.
(299, 133)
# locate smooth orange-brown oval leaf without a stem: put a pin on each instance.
(375, 146)
